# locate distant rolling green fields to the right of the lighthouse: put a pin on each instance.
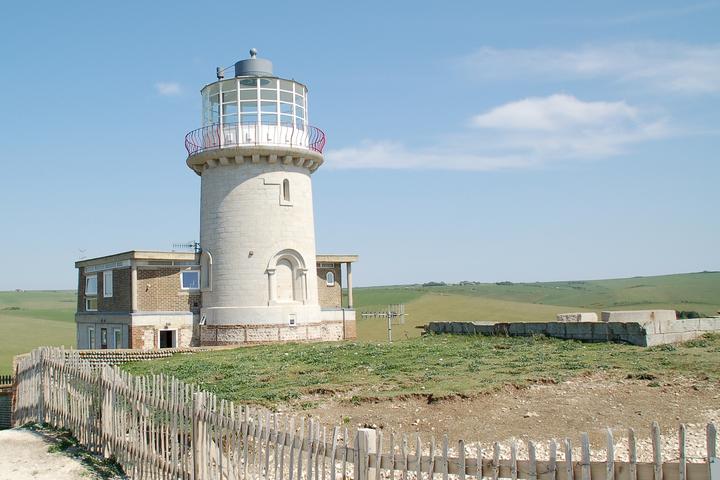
(533, 302)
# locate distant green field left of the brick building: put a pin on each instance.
(32, 319)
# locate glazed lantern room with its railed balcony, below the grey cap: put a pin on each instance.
(254, 111)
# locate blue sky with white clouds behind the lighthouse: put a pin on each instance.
(489, 141)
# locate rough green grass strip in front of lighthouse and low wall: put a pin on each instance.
(432, 366)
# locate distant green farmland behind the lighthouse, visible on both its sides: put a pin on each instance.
(46, 317)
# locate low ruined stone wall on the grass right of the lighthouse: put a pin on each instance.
(645, 334)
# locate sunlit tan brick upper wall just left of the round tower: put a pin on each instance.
(159, 291)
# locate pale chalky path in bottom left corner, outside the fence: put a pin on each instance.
(24, 455)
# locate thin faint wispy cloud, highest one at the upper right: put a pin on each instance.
(667, 67)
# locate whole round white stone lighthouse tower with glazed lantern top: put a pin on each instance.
(255, 154)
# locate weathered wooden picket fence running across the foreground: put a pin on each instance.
(160, 428)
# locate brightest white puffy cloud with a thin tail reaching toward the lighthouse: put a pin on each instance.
(527, 133)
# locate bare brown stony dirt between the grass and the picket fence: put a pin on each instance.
(548, 411)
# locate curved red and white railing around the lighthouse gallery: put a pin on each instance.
(236, 134)
